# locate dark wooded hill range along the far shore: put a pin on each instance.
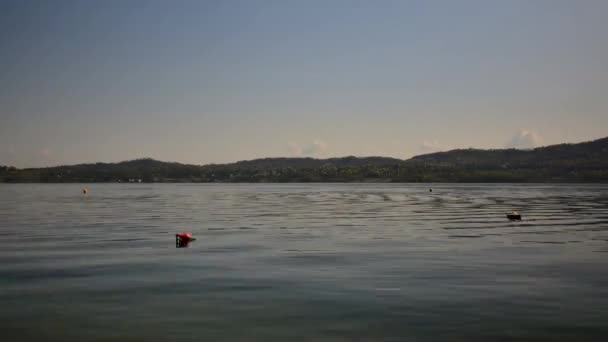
(583, 162)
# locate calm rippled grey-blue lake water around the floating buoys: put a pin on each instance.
(350, 262)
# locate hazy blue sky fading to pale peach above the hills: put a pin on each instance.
(220, 81)
